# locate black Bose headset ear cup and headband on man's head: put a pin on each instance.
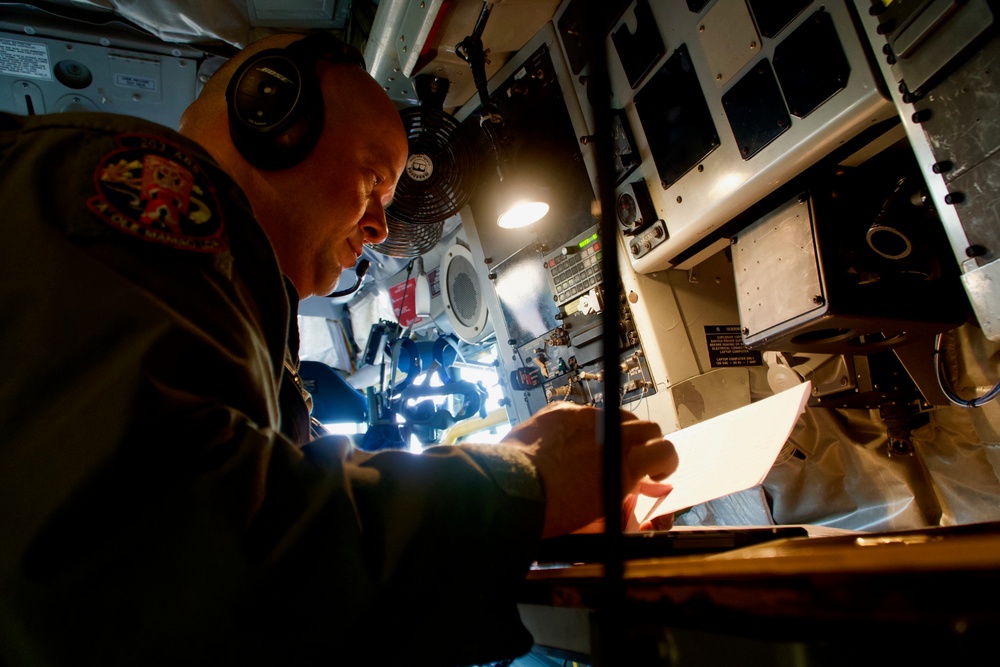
(276, 103)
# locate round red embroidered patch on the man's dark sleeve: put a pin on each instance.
(153, 189)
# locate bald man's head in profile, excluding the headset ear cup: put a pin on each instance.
(319, 212)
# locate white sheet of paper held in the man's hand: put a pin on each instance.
(726, 454)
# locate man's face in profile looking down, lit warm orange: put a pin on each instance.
(320, 213)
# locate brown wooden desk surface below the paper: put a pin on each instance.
(941, 580)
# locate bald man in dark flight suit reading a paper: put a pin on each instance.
(162, 502)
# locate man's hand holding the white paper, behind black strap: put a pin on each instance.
(561, 439)
